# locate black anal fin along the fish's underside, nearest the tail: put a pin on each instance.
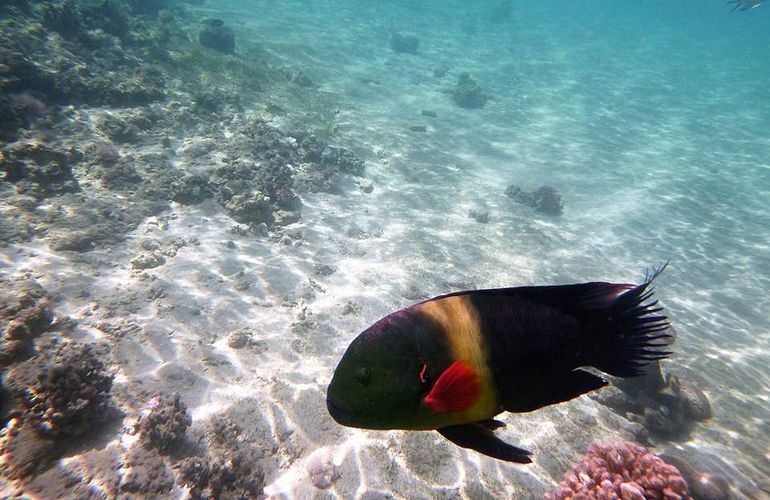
(552, 391)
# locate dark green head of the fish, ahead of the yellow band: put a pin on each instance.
(377, 383)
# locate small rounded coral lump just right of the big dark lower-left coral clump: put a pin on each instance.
(164, 424)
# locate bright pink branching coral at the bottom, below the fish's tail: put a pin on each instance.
(622, 470)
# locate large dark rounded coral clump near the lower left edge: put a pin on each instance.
(65, 394)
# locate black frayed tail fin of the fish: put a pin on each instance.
(631, 331)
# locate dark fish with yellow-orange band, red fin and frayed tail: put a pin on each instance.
(454, 362)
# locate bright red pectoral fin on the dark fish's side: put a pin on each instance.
(457, 389)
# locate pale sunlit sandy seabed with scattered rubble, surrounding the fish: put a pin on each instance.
(236, 239)
